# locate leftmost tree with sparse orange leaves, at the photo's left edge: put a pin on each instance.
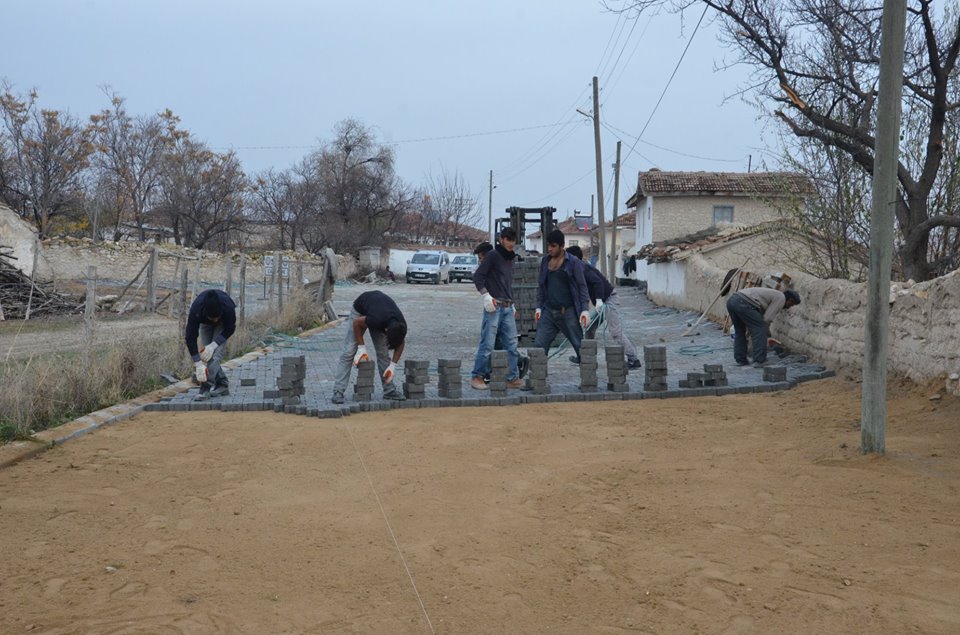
(44, 156)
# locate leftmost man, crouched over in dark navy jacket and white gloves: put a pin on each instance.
(212, 319)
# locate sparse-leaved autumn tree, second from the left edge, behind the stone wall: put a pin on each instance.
(129, 156)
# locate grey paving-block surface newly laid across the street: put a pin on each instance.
(444, 323)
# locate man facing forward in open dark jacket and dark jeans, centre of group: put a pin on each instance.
(562, 296)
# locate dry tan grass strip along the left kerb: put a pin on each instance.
(44, 391)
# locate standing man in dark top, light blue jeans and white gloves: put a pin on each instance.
(494, 281)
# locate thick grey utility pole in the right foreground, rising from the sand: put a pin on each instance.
(873, 405)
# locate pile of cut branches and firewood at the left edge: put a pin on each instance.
(17, 290)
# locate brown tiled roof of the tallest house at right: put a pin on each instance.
(654, 182)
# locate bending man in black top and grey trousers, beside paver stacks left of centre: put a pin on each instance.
(376, 312)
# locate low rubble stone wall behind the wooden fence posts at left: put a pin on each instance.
(69, 258)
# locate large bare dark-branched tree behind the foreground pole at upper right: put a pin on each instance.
(817, 63)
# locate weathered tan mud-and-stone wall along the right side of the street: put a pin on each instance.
(829, 323)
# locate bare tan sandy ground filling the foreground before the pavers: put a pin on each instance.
(737, 514)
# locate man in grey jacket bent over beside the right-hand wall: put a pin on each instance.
(754, 308)
